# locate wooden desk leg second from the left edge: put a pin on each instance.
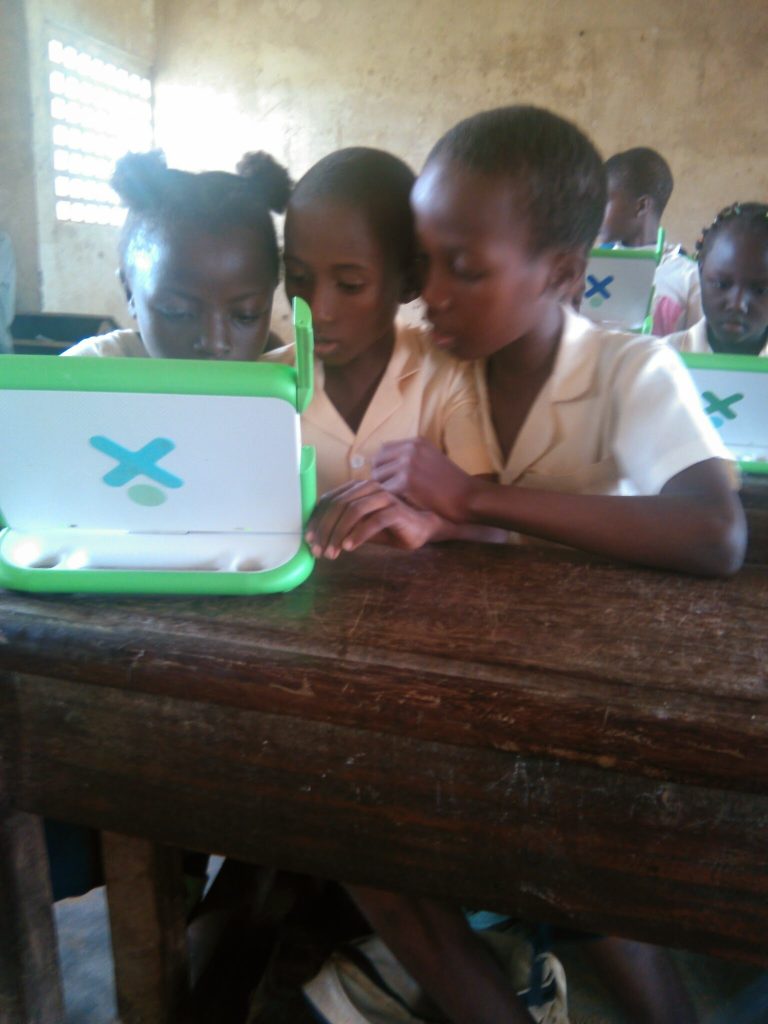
(146, 894)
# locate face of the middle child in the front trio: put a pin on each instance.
(336, 265)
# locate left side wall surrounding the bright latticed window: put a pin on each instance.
(63, 268)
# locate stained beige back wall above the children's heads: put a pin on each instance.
(304, 77)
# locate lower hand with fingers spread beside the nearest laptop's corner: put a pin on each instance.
(363, 511)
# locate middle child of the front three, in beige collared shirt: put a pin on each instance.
(351, 253)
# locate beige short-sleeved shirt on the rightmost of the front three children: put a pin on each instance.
(620, 415)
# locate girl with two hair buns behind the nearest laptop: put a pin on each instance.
(198, 260)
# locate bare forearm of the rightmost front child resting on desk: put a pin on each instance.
(705, 535)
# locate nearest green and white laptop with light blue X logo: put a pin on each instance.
(156, 476)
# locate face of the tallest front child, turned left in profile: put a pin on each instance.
(484, 288)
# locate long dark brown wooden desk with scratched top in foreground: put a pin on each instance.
(513, 729)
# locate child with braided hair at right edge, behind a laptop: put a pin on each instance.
(733, 258)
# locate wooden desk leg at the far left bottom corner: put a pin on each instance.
(30, 978)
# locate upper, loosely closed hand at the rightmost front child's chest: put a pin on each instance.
(420, 473)
